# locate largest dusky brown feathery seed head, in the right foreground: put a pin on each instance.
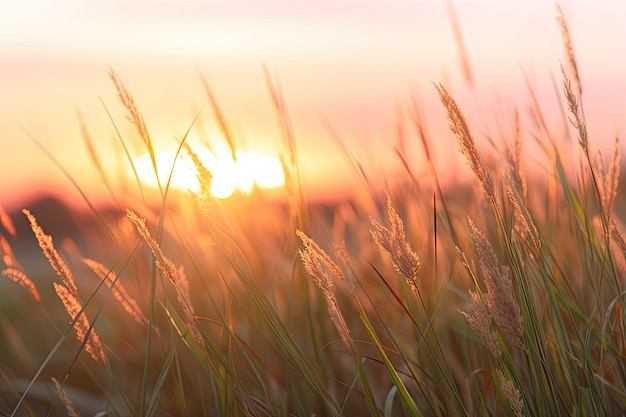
(499, 298)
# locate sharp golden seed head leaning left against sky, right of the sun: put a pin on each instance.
(467, 146)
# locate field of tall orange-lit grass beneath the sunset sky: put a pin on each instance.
(501, 298)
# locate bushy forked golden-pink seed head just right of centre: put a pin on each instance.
(393, 241)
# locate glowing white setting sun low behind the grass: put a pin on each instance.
(247, 171)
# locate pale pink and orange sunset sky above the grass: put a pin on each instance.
(350, 64)
